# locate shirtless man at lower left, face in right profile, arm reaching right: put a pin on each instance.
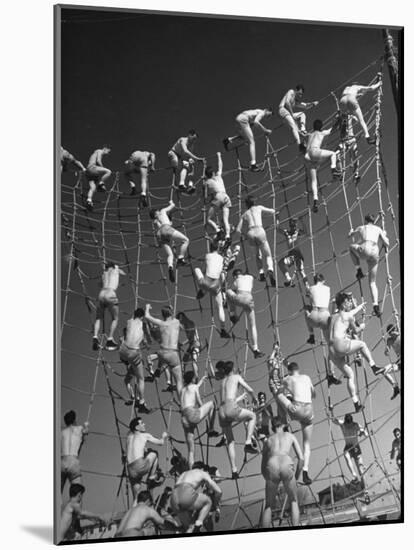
(140, 462)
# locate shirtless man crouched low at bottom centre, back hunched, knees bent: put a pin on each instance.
(192, 506)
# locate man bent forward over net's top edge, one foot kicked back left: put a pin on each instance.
(245, 122)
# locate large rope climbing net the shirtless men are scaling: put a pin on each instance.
(120, 231)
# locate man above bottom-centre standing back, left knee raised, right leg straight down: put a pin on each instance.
(300, 388)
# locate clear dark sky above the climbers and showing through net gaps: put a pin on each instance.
(140, 82)
